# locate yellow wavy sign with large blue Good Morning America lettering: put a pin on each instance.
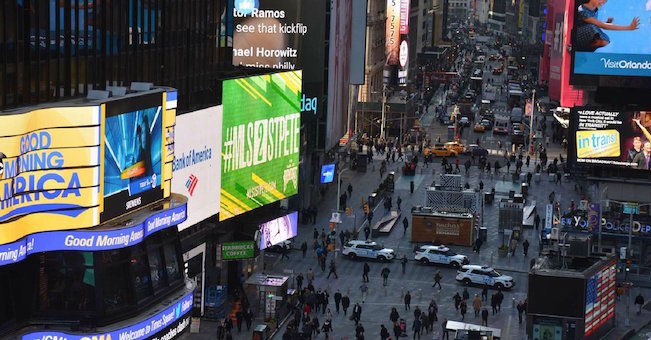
(49, 170)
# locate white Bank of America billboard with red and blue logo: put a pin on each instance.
(197, 163)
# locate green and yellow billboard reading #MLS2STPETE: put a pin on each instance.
(260, 141)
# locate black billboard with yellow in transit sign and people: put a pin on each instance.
(604, 137)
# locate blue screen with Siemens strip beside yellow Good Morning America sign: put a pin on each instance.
(133, 148)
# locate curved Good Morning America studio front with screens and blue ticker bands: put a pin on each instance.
(89, 247)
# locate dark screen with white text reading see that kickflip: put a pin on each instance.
(268, 33)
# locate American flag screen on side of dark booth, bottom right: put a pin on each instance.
(600, 298)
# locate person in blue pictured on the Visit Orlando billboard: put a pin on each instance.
(589, 29)
